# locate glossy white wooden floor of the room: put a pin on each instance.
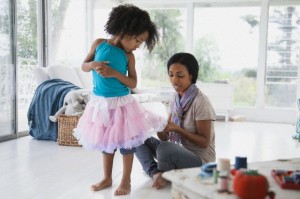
(44, 170)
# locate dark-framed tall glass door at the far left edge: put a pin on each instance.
(17, 82)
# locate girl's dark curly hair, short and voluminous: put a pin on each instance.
(130, 20)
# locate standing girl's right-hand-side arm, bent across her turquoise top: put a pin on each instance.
(130, 80)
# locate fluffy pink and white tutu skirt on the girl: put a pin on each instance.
(116, 122)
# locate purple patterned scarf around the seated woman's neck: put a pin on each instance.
(180, 106)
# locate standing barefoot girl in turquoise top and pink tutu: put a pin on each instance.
(113, 119)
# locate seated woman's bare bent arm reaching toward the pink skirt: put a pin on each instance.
(202, 136)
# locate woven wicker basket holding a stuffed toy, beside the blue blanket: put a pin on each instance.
(66, 124)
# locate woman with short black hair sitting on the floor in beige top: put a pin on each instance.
(189, 138)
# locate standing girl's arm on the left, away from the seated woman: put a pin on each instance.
(88, 63)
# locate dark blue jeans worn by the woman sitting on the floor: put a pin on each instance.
(159, 156)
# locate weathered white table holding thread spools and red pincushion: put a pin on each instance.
(187, 184)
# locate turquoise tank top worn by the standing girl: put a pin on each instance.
(110, 86)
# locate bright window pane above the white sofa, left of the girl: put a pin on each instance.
(67, 32)
